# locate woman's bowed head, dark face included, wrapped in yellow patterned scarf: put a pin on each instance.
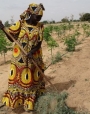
(35, 11)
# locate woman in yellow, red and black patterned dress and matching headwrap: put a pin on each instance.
(25, 83)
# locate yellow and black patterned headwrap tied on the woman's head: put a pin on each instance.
(33, 8)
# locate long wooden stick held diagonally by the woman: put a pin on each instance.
(5, 30)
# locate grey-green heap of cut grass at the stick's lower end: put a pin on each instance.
(53, 103)
